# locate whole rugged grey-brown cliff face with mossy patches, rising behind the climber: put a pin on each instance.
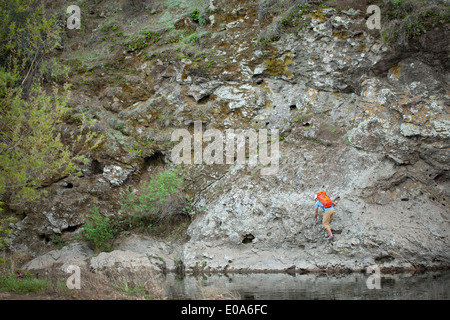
(365, 122)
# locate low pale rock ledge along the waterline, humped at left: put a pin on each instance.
(139, 253)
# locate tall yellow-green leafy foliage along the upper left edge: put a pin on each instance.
(31, 118)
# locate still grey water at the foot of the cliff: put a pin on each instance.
(283, 286)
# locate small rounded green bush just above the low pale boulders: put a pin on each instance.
(99, 230)
